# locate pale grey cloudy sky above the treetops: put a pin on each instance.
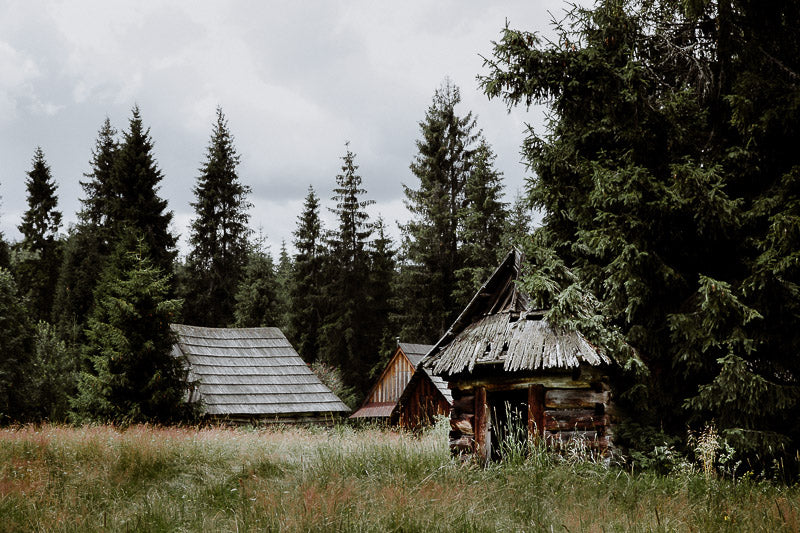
(296, 80)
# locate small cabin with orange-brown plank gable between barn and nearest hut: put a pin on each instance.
(382, 399)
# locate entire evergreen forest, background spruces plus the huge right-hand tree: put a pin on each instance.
(667, 178)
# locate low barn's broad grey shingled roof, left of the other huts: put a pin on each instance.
(252, 375)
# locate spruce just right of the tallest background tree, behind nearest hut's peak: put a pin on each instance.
(483, 222)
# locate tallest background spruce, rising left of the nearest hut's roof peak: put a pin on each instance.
(431, 253)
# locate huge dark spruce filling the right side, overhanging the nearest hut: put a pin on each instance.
(668, 182)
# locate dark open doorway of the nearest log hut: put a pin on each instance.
(508, 422)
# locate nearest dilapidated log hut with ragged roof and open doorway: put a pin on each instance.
(514, 375)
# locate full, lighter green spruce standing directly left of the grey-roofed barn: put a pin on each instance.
(132, 375)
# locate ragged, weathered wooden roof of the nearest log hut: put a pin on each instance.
(497, 327)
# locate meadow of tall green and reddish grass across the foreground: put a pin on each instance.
(154, 479)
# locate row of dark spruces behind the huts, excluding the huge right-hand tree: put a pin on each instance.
(88, 311)
